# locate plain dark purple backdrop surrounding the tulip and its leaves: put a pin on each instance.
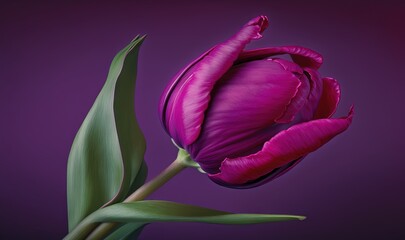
(55, 58)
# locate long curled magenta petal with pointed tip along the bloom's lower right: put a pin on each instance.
(285, 147)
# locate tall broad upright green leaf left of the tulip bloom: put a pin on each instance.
(108, 150)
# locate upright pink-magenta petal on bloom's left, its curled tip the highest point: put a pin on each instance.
(193, 96)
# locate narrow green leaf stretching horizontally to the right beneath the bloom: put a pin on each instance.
(144, 212)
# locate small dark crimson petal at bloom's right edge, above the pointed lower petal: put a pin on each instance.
(329, 99)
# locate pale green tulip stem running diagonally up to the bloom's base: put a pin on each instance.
(85, 229)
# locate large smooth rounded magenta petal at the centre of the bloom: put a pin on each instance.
(245, 102)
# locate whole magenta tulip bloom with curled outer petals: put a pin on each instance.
(248, 116)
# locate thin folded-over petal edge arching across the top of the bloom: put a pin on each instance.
(304, 57)
